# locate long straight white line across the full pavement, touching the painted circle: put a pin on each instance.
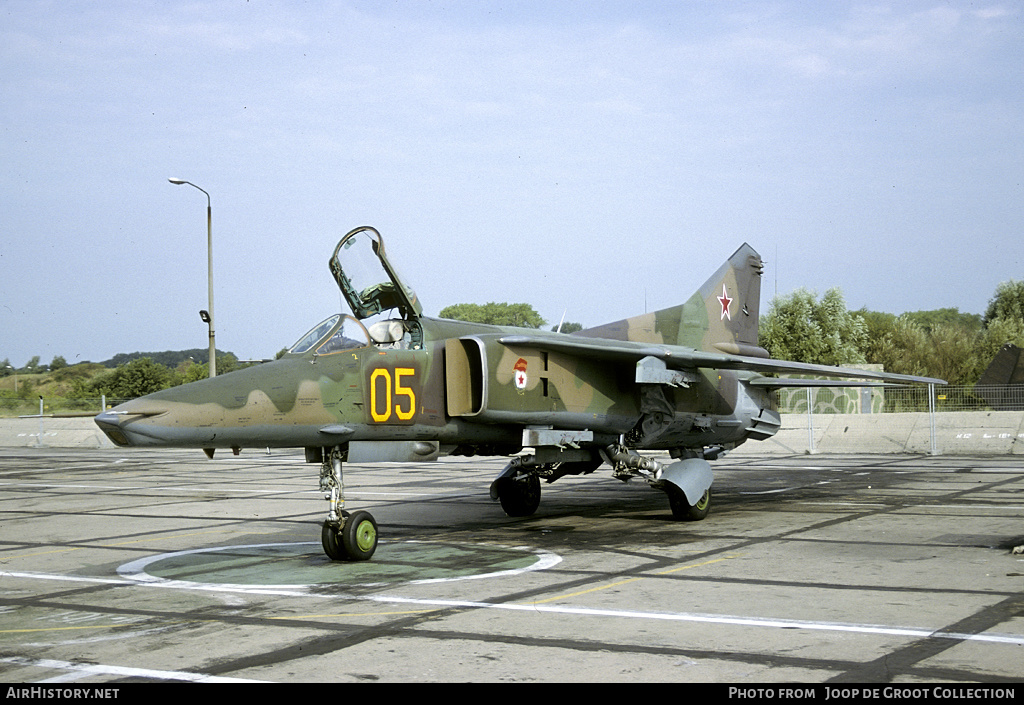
(735, 620)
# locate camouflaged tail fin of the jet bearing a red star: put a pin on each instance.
(721, 317)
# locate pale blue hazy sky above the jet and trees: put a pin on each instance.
(594, 159)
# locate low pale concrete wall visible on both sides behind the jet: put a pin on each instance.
(968, 433)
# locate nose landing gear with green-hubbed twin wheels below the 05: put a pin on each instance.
(346, 536)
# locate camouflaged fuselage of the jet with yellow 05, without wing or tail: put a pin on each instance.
(345, 386)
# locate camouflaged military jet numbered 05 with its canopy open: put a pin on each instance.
(389, 384)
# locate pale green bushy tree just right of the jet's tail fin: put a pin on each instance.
(799, 327)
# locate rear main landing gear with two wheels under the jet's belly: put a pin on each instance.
(688, 482)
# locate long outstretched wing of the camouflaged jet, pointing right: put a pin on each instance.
(679, 358)
